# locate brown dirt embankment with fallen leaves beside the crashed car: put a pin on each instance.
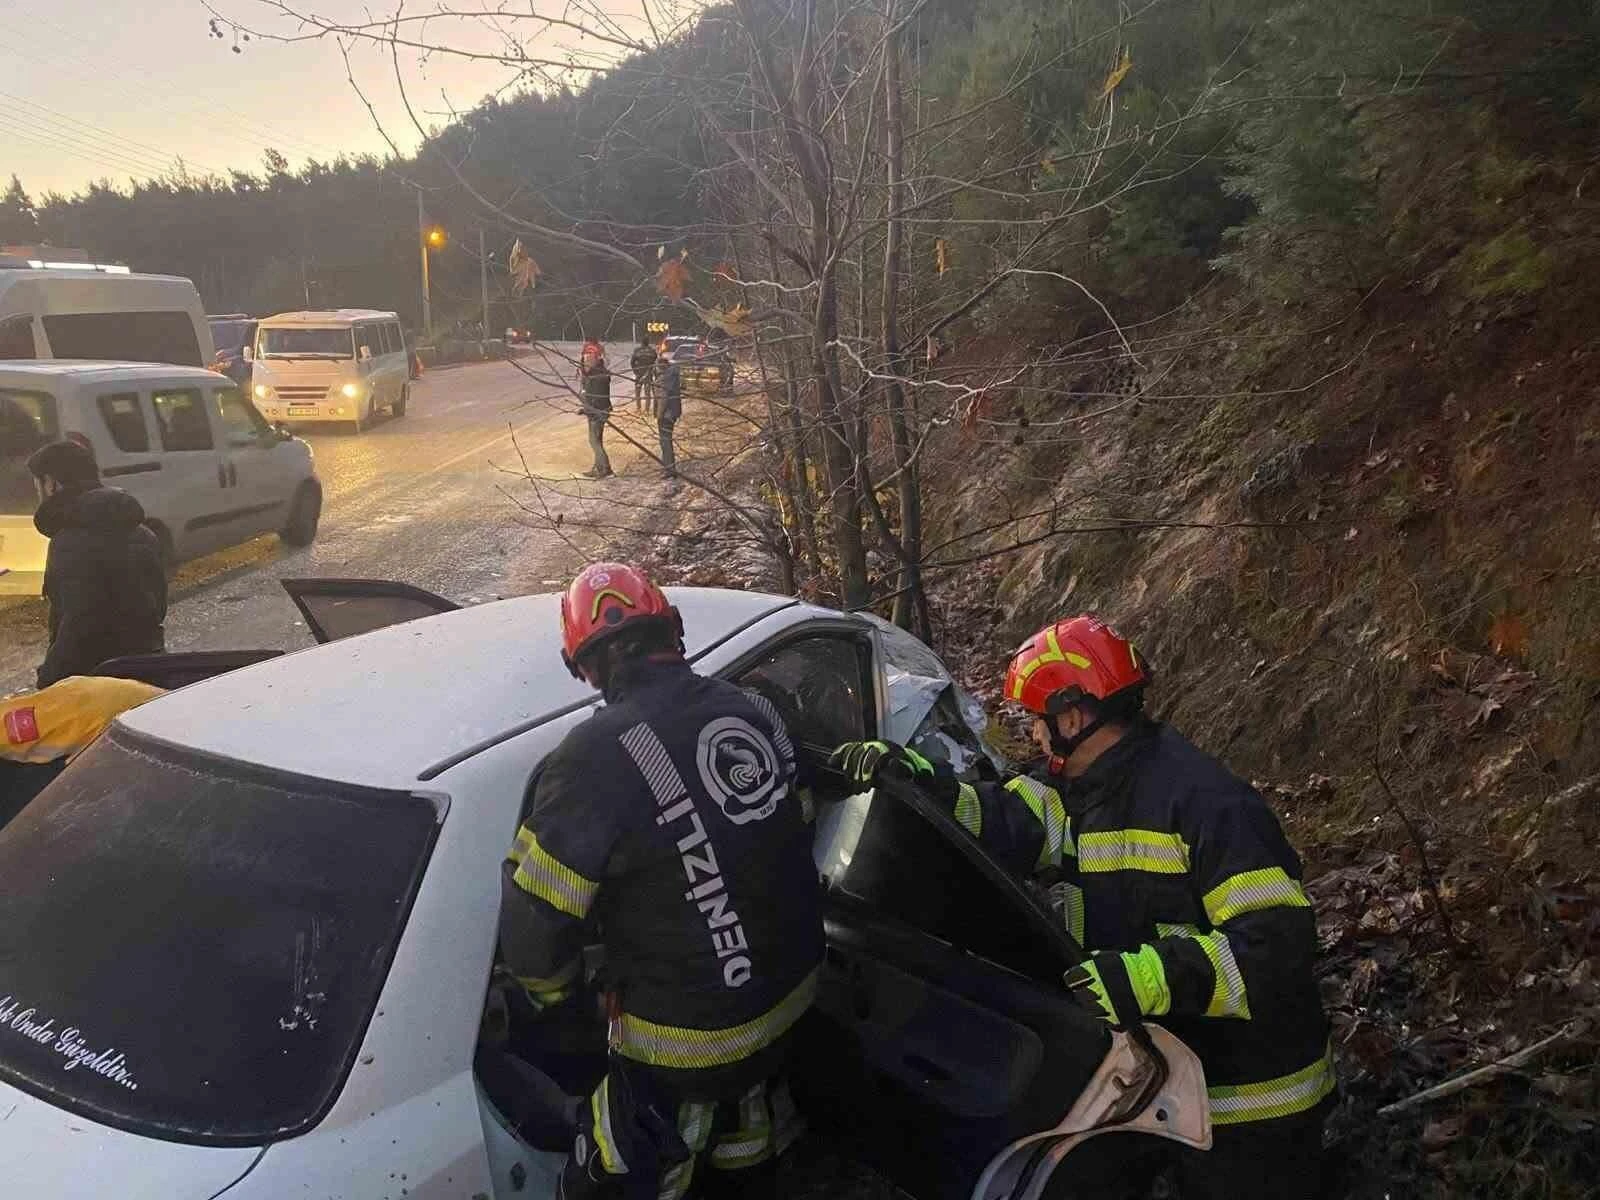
(1367, 566)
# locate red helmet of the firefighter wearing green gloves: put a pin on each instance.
(1070, 662)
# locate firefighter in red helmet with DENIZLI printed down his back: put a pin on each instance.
(673, 822)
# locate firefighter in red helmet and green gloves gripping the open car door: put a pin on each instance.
(1177, 879)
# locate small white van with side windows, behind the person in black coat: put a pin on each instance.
(185, 442)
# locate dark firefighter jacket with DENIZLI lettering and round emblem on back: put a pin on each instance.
(673, 820)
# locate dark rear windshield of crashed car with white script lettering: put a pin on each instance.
(191, 948)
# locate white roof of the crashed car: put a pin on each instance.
(386, 706)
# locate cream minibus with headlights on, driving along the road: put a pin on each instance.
(338, 366)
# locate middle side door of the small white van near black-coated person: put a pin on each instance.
(194, 478)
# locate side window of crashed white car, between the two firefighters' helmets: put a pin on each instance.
(822, 687)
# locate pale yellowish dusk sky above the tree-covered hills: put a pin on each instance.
(118, 89)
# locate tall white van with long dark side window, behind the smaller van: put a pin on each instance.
(105, 314)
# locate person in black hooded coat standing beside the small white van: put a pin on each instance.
(105, 578)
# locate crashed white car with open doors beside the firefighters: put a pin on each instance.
(249, 938)
